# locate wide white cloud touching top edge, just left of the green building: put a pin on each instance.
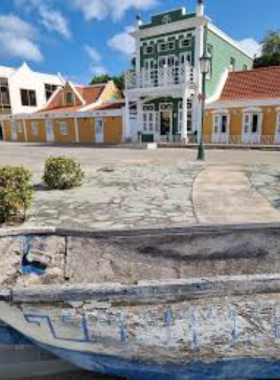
(101, 9)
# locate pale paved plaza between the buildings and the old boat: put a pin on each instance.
(137, 188)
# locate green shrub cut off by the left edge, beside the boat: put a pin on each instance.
(16, 191)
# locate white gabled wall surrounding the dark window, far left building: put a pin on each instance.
(25, 78)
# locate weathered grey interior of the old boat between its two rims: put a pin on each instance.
(128, 257)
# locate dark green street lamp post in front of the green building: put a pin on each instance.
(205, 65)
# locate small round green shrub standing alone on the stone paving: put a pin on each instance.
(62, 173)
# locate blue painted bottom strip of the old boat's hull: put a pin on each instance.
(241, 368)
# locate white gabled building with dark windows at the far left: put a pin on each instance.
(25, 91)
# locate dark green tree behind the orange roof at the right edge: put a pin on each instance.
(270, 55)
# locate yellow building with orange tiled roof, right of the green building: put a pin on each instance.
(248, 109)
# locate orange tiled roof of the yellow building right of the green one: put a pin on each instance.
(252, 84)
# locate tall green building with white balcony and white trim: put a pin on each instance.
(163, 101)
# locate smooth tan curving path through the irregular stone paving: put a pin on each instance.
(224, 194)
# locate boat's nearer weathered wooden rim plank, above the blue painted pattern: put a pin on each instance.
(151, 292)
